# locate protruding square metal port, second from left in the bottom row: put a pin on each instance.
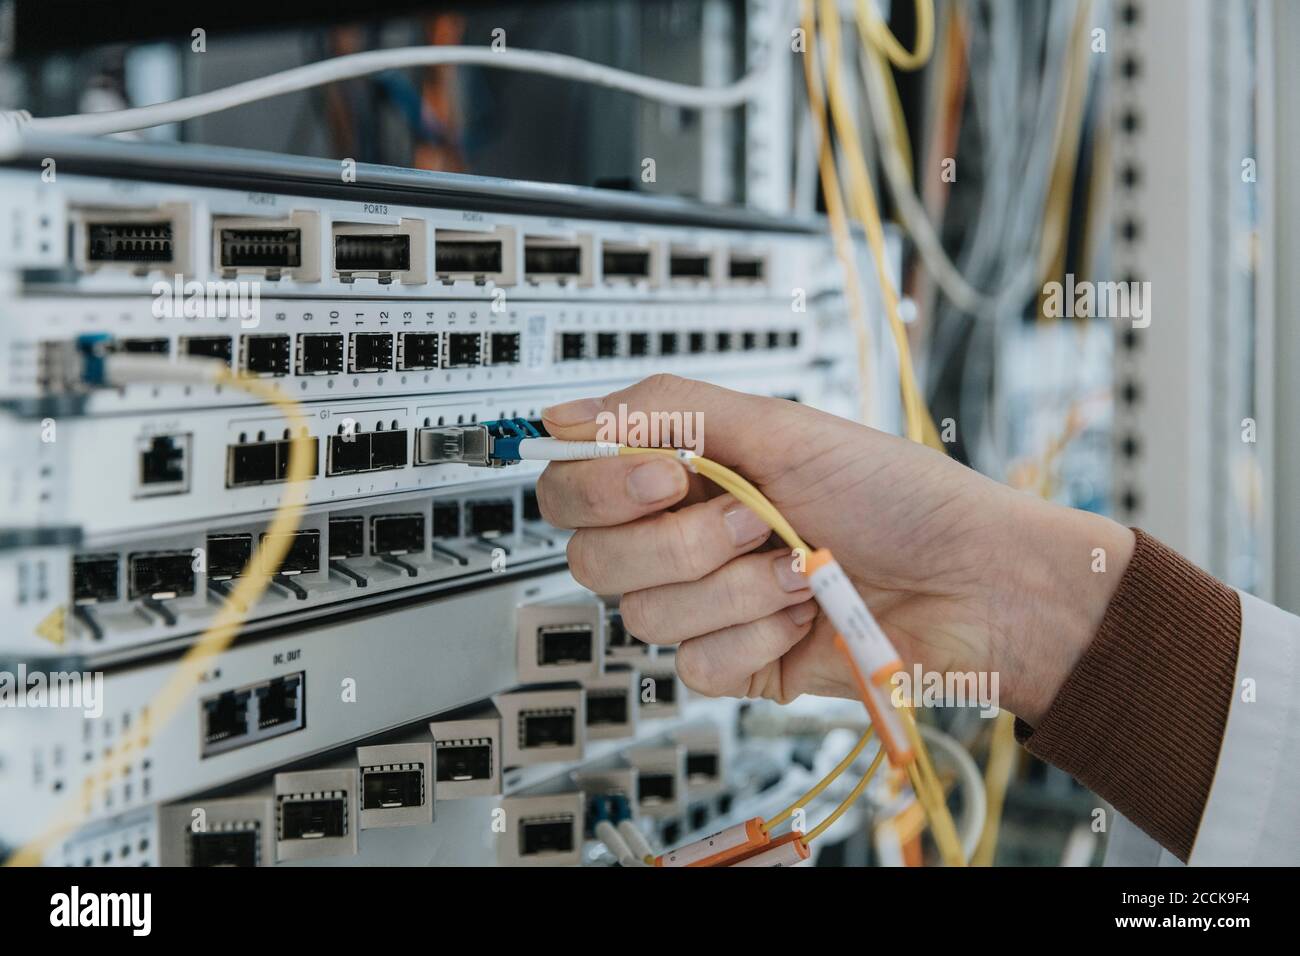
(317, 815)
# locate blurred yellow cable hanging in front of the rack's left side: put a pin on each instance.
(219, 635)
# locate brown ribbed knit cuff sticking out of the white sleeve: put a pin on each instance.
(1141, 719)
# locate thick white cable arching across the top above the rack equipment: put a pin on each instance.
(379, 60)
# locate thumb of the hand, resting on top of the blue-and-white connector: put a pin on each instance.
(730, 427)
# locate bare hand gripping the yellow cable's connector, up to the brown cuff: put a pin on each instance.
(963, 574)
